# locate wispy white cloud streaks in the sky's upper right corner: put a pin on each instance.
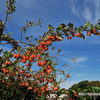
(88, 10)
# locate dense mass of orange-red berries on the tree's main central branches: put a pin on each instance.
(33, 56)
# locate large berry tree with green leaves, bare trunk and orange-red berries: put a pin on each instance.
(17, 79)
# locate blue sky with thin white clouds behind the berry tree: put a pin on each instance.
(55, 12)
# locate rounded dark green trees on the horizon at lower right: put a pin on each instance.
(84, 87)
